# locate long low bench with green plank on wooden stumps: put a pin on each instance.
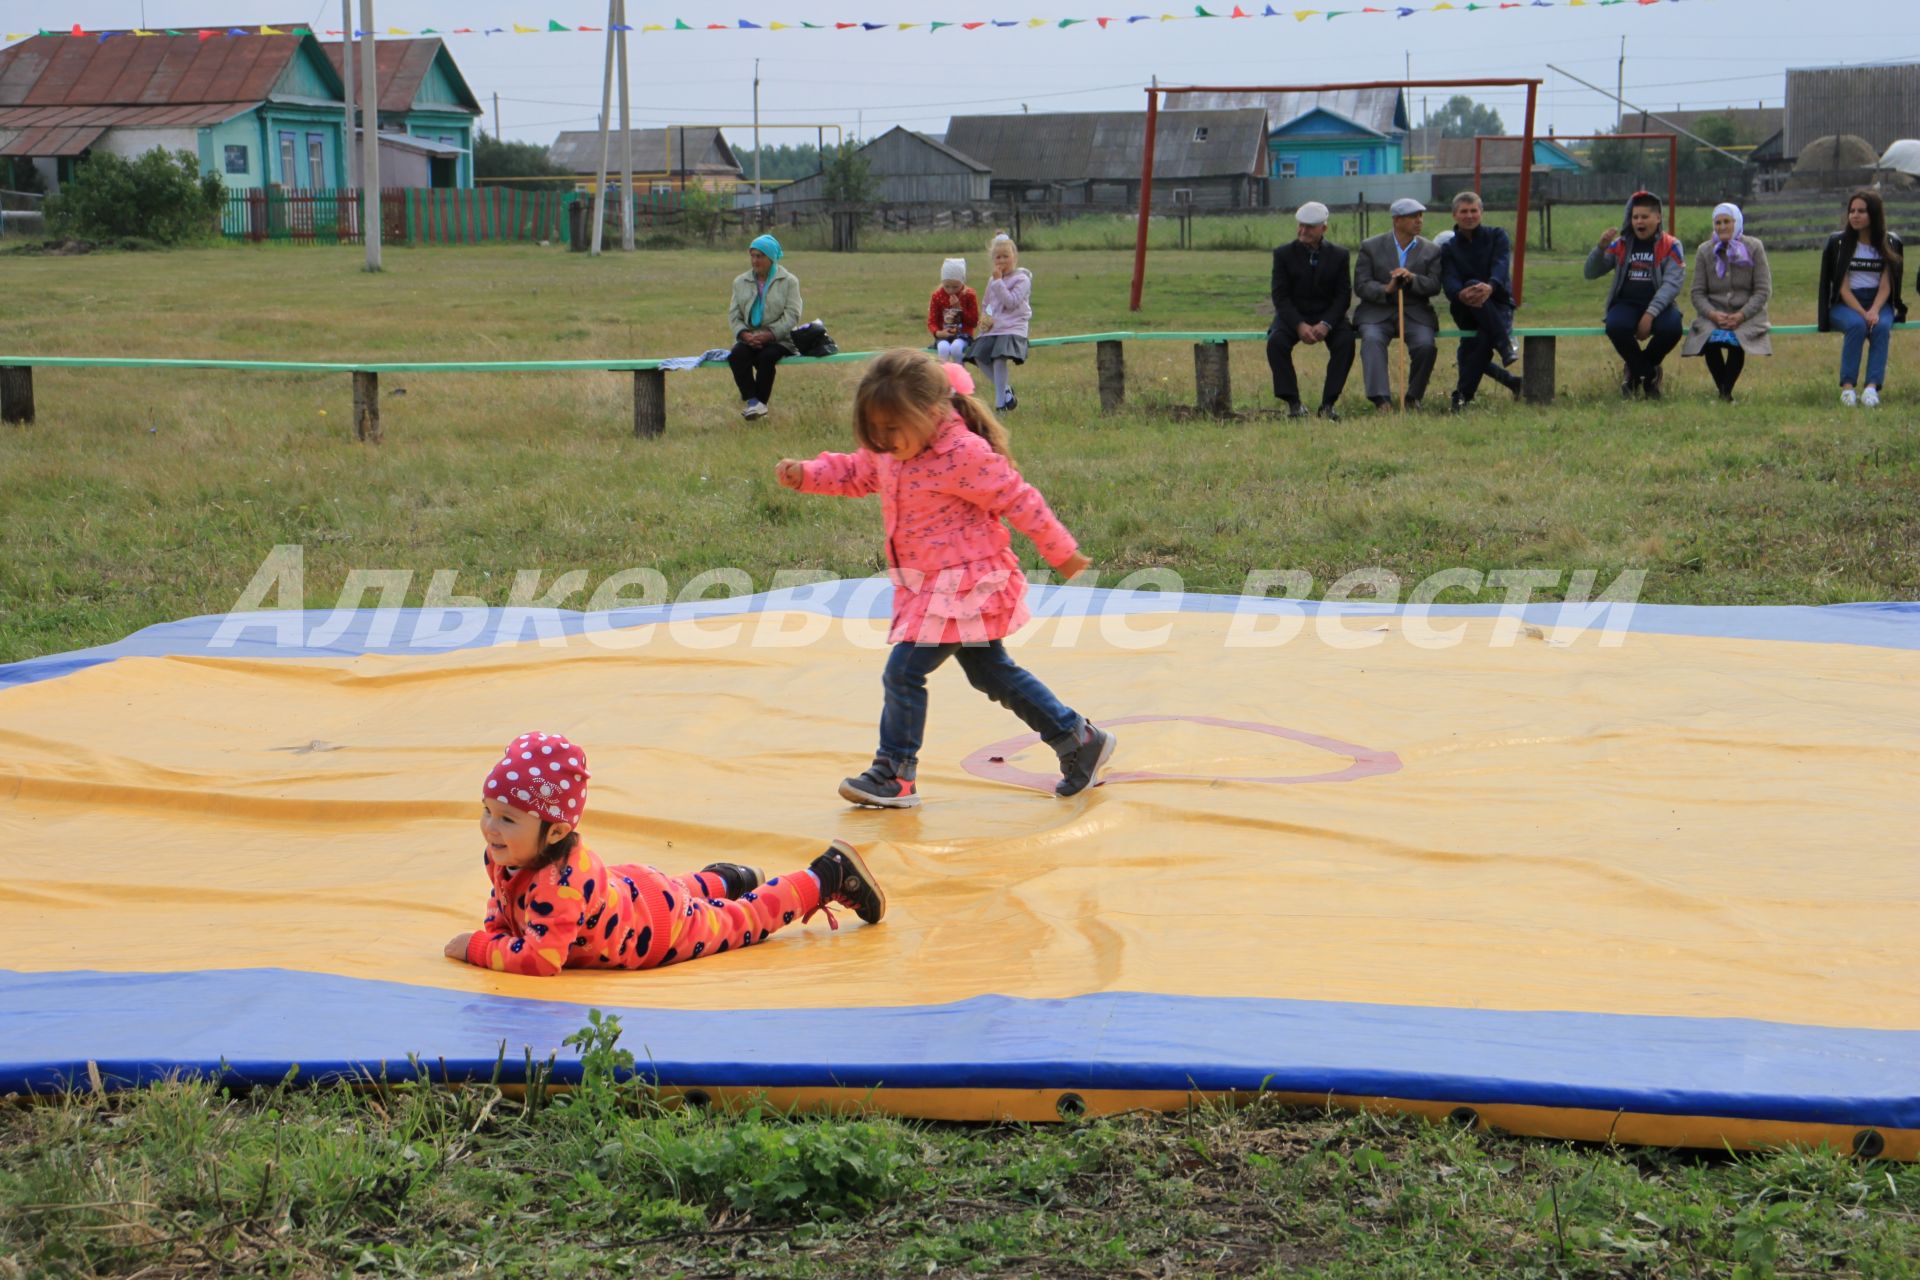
(1212, 379)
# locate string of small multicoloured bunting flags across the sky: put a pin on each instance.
(1201, 12)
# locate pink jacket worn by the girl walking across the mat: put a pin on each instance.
(951, 561)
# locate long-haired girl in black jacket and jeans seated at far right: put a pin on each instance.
(1861, 295)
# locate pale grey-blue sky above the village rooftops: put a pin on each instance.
(1679, 55)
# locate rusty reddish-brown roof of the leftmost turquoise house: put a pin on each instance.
(143, 70)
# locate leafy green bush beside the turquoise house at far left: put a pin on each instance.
(158, 197)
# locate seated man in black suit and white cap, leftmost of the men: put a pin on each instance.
(1310, 300)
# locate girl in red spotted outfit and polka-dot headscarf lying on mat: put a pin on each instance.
(558, 907)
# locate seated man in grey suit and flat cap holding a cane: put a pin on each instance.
(1389, 268)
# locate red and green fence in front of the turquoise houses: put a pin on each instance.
(408, 216)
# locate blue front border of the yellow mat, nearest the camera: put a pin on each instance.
(256, 1024)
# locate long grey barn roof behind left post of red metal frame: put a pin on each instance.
(1074, 147)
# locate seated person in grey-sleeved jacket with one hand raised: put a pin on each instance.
(1648, 272)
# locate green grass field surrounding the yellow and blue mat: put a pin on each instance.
(141, 496)
